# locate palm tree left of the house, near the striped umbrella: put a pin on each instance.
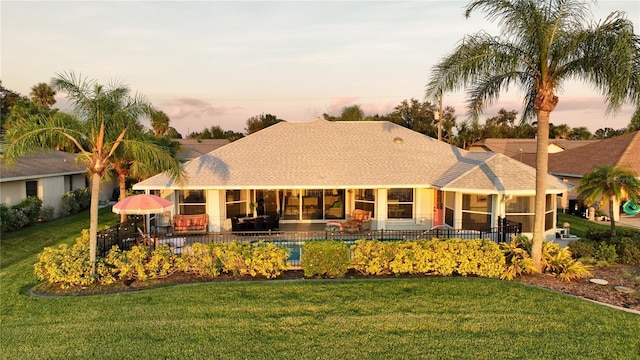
(99, 134)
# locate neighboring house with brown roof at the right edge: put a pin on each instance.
(571, 165)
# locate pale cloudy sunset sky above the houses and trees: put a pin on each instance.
(214, 63)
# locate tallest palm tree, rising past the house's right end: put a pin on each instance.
(542, 44)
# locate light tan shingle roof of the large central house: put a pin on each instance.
(359, 154)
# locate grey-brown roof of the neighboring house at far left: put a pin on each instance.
(52, 163)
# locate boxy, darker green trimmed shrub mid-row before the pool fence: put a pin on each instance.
(325, 258)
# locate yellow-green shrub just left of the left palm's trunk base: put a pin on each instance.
(68, 266)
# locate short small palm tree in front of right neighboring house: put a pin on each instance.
(612, 183)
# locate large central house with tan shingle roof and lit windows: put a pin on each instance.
(312, 172)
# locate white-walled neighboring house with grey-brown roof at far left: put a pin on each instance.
(47, 176)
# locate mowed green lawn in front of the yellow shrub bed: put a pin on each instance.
(420, 318)
